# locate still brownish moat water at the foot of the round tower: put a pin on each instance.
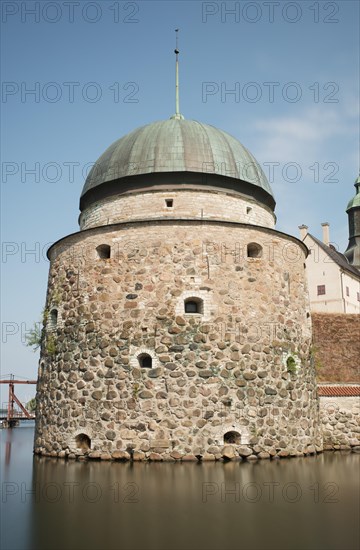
(290, 504)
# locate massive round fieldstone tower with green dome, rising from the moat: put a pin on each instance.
(177, 321)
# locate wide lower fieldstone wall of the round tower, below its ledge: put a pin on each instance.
(241, 367)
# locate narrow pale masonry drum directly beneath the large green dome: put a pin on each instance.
(186, 203)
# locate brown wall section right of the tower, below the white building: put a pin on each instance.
(337, 347)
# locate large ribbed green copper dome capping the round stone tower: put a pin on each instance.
(177, 146)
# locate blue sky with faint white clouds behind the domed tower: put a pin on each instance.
(282, 77)
